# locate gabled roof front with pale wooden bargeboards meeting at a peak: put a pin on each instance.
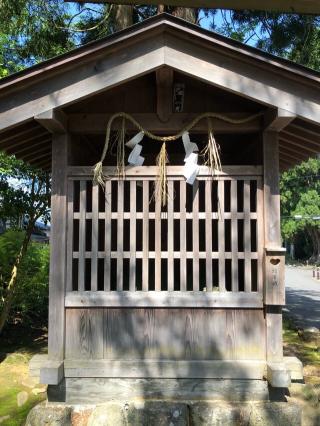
(163, 40)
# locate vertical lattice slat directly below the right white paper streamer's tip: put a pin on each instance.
(195, 234)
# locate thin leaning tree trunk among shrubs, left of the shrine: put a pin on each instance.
(13, 278)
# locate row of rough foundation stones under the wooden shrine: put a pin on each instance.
(161, 413)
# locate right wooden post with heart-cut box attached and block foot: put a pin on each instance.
(273, 289)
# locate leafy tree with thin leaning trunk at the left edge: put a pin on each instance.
(24, 192)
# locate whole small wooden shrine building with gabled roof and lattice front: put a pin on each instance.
(163, 299)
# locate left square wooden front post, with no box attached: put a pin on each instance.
(58, 247)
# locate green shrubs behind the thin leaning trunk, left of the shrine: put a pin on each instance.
(31, 295)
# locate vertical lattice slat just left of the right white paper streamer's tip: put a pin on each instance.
(183, 237)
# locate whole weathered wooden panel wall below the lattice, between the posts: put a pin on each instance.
(172, 334)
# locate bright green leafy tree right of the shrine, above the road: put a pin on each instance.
(300, 203)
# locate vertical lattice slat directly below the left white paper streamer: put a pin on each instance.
(133, 229)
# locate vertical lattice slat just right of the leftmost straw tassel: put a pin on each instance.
(107, 237)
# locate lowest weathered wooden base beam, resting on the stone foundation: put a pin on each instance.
(98, 390)
